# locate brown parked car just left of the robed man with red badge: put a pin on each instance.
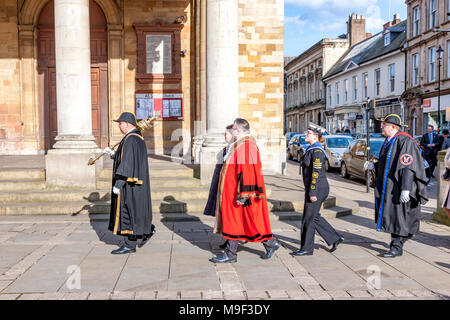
(353, 160)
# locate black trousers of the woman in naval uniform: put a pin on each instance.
(313, 221)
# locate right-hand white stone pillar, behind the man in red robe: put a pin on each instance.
(222, 94)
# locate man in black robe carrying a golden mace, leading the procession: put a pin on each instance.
(131, 206)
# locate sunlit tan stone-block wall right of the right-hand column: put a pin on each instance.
(261, 62)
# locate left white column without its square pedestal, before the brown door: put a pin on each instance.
(73, 75)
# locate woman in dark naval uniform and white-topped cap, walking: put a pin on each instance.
(312, 167)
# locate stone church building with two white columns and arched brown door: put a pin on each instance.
(70, 67)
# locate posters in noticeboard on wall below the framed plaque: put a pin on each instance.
(165, 106)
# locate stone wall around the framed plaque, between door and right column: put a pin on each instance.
(159, 138)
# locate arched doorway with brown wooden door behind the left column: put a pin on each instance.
(99, 73)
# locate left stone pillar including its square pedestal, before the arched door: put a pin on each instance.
(66, 164)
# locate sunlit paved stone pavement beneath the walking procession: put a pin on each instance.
(60, 257)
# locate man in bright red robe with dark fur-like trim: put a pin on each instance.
(241, 211)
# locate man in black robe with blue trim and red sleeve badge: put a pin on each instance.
(400, 186)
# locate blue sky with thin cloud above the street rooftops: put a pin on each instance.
(308, 21)
